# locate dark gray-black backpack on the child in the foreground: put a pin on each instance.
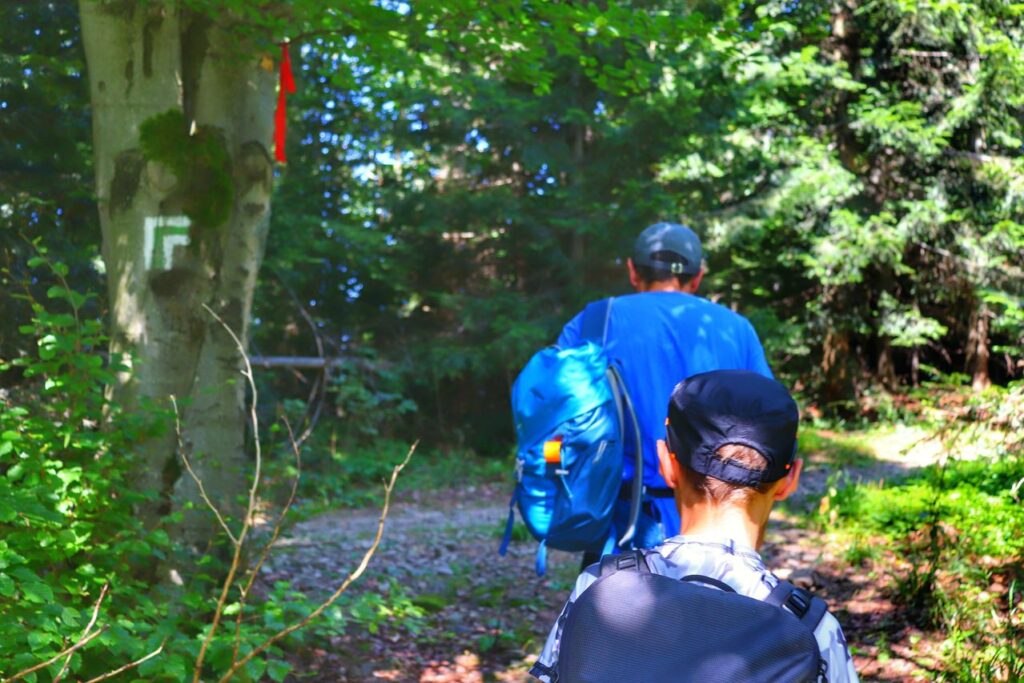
(633, 625)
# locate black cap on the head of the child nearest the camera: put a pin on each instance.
(716, 409)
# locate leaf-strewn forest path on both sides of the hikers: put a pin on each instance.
(485, 617)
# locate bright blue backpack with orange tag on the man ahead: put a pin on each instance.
(569, 406)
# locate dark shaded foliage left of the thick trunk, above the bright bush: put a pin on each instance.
(46, 159)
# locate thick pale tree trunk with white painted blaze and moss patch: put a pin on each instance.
(185, 219)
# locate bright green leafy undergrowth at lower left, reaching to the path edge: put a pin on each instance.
(69, 529)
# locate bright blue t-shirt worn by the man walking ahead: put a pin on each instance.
(658, 339)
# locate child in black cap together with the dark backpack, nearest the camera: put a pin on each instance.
(729, 452)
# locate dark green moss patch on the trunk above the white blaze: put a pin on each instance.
(200, 161)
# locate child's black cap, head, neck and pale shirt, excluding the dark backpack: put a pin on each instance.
(730, 456)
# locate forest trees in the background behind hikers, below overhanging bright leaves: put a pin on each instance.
(855, 172)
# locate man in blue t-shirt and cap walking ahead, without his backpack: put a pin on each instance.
(656, 337)
